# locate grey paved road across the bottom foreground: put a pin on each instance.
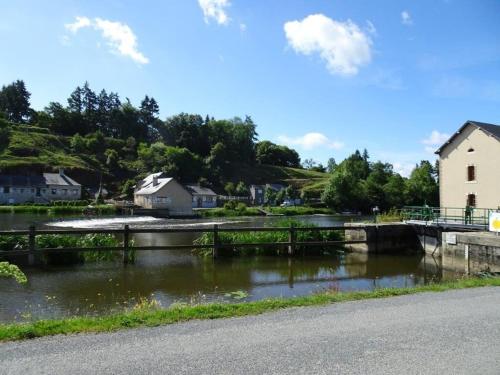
(456, 332)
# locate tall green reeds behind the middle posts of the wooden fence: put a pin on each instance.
(226, 239)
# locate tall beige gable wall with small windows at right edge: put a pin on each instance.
(454, 160)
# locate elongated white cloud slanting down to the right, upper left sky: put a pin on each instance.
(119, 36)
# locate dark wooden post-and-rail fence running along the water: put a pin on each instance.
(216, 245)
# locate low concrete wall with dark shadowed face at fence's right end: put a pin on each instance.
(382, 238)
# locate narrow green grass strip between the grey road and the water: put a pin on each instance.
(150, 314)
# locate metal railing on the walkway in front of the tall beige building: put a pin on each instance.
(448, 215)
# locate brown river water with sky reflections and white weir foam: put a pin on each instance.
(179, 276)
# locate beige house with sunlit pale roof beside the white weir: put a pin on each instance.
(165, 193)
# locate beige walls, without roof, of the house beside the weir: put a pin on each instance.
(173, 196)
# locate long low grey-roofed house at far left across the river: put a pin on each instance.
(44, 188)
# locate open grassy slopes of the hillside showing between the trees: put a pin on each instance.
(32, 149)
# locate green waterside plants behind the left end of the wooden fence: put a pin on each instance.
(46, 241)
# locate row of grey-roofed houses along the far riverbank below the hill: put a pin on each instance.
(157, 192)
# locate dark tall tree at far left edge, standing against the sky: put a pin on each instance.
(15, 102)
